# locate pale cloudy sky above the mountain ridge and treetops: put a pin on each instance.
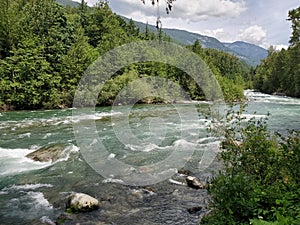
(260, 22)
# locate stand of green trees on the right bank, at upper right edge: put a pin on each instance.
(280, 71)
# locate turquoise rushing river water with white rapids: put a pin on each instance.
(35, 193)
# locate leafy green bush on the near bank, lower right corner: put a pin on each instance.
(260, 180)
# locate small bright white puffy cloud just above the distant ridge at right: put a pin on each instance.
(255, 35)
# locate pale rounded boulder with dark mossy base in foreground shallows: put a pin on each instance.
(80, 202)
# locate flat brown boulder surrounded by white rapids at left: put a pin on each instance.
(48, 153)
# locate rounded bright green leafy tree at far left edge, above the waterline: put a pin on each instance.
(25, 75)
